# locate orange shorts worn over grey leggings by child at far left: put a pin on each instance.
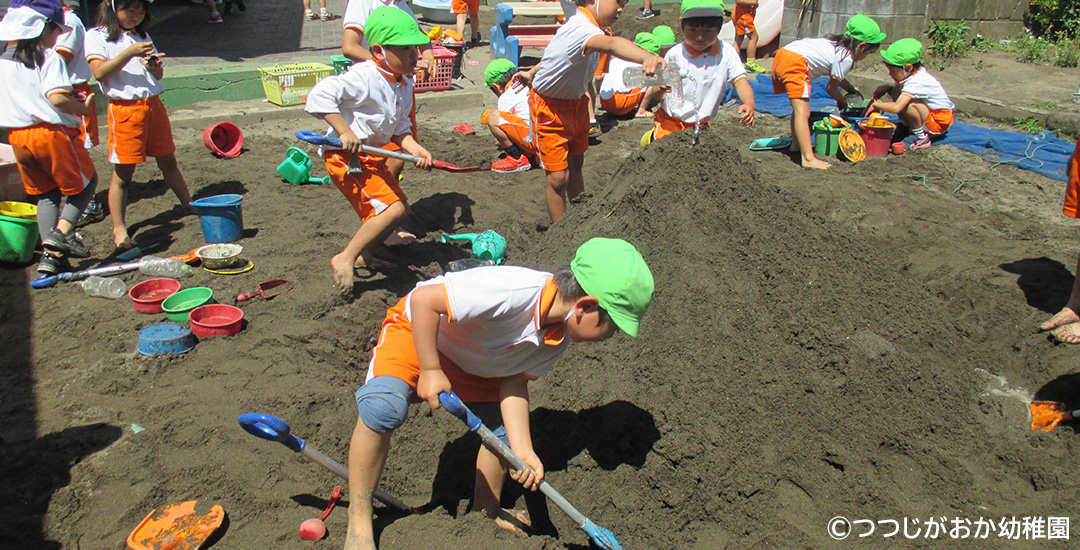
(51, 157)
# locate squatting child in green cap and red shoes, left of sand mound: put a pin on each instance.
(510, 123)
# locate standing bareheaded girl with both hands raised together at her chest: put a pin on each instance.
(129, 69)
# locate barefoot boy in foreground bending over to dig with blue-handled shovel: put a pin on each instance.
(484, 333)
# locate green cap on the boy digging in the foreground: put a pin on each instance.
(613, 272)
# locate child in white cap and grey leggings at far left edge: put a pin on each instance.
(43, 119)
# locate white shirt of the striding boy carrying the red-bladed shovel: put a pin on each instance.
(374, 102)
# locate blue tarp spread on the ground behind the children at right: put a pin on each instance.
(1043, 154)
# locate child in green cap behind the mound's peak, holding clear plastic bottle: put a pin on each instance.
(711, 65)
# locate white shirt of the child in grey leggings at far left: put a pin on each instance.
(25, 92)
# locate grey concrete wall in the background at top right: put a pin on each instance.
(902, 19)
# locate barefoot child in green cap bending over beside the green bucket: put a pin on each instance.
(803, 61)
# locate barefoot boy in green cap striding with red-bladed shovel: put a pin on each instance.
(371, 105)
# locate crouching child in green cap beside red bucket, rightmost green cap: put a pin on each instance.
(917, 97)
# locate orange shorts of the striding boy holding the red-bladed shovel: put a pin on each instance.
(371, 192)
